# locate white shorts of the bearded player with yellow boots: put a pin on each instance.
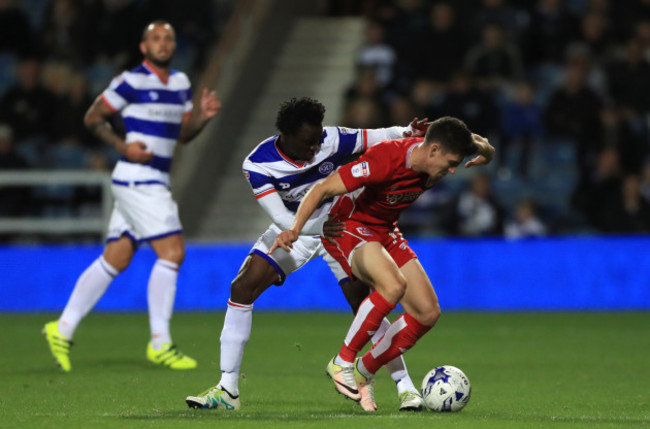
(143, 213)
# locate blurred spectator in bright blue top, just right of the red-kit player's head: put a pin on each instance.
(521, 123)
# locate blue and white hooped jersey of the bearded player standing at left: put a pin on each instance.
(153, 111)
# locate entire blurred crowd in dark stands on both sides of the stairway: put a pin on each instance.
(560, 87)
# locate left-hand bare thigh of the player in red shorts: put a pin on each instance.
(373, 265)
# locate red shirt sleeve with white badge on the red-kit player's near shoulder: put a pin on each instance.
(372, 167)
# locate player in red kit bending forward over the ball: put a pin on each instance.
(371, 248)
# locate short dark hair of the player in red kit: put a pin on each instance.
(453, 136)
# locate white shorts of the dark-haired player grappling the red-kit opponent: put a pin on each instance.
(305, 249)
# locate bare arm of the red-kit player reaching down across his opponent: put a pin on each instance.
(330, 187)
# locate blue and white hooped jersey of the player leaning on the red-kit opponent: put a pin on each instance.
(268, 170)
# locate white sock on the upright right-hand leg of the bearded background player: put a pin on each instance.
(160, 296)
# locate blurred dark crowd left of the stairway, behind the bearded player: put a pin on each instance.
(55, 57)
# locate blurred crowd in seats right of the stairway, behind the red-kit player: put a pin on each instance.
(560, 87)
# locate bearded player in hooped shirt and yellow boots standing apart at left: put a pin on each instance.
(156, 105)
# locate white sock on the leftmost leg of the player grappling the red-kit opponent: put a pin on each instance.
(234, 336)
